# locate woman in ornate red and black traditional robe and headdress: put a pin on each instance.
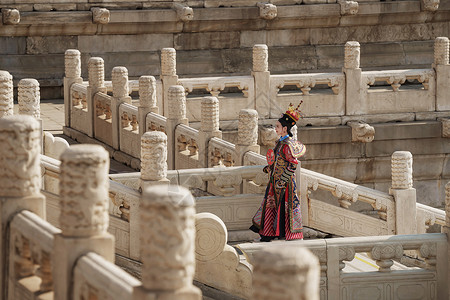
(279, 215)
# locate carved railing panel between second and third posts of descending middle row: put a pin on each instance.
(103, 126)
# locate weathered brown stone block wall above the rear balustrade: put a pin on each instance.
(217, 39)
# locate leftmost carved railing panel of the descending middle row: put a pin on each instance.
(79, 113)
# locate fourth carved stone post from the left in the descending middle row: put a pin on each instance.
(147, 100)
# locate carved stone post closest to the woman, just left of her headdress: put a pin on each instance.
(247, 134)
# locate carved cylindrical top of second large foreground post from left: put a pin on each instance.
(84, 191)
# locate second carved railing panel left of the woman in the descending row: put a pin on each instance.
(186, 153)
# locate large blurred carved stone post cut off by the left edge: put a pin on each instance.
(20, 173)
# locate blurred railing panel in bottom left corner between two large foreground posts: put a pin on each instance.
(30, 257)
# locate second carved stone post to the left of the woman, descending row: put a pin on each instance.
(209, 128)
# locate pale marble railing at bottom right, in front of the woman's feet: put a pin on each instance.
(428, 280)
